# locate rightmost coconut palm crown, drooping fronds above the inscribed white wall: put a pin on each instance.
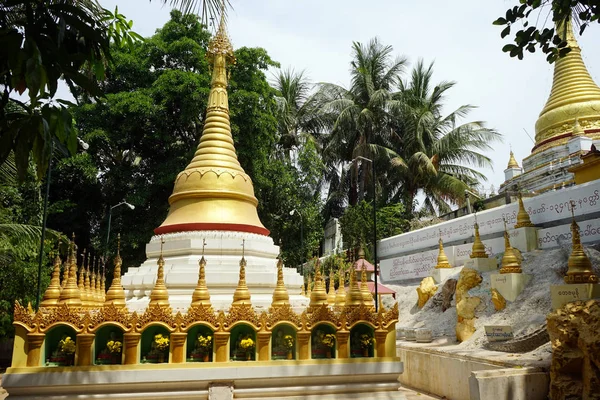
(435, 153)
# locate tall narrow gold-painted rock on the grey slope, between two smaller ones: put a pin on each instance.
(465, 304)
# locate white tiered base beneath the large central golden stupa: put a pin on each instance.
(223, 251)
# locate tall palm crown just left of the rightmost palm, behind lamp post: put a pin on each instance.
(361, 117)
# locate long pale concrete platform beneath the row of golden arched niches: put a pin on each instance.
(274, 379)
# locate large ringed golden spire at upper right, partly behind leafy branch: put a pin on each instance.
(574, 94)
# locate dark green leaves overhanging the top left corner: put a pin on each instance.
(42, 42)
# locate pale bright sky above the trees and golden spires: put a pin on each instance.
(316, 36)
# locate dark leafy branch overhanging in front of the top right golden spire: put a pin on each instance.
(548, 40)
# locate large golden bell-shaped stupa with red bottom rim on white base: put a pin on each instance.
(213, 192)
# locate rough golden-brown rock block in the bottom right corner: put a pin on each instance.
(575, 334)
